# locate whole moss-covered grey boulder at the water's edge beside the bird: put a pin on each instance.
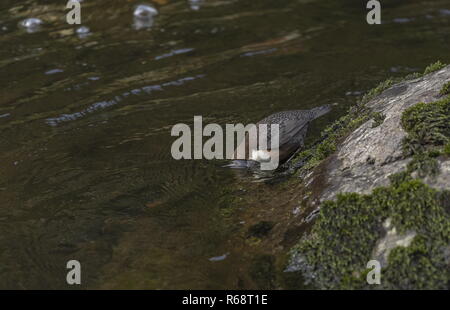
(382, 176)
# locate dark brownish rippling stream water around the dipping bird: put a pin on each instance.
(85, 166)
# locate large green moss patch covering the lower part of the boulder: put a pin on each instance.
(347, 229)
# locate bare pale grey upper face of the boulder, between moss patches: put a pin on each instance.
(350, 171)
